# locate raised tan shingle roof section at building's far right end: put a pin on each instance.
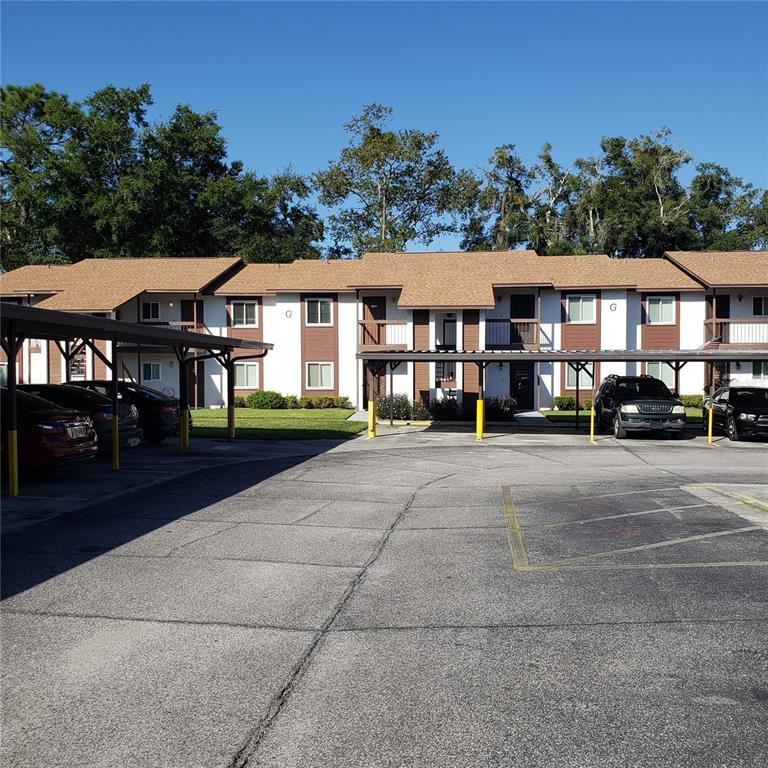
(738, 269)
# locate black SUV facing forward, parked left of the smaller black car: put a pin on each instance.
(638, 404)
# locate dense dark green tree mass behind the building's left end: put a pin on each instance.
(96, 179)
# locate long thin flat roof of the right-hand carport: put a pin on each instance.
(721, 355)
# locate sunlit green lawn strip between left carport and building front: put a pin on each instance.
(294, 424)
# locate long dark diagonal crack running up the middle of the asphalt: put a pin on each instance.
(242, 757)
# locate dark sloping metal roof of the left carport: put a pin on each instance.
(33, 322)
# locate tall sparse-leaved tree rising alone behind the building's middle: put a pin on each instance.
(391, 187)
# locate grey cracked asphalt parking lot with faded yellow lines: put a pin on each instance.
(414, 600)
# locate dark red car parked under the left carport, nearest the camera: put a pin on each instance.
(47, 433)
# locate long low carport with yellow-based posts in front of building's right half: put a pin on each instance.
(578, 359)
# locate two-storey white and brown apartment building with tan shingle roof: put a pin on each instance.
(320, 314)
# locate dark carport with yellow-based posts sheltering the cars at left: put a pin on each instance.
(71, 332)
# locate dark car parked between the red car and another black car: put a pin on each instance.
(98, 407)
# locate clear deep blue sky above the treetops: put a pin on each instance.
(284, 77)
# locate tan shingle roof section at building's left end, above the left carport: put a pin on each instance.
(101, 285)
